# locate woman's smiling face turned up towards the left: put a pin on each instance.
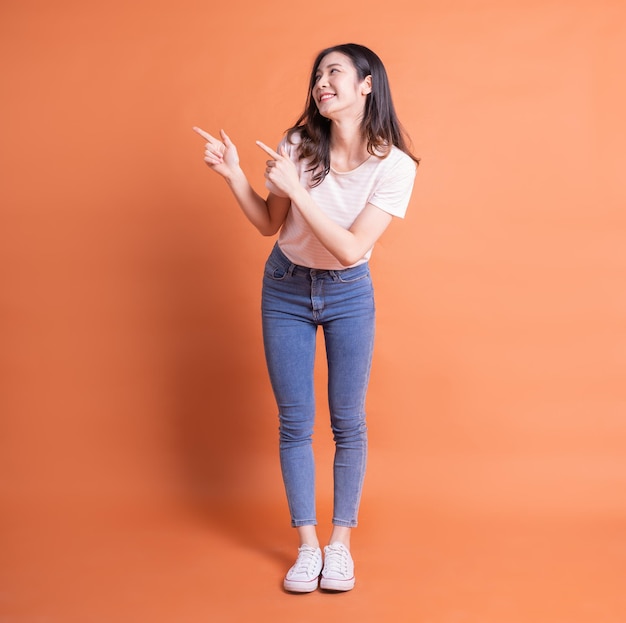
(337, 89)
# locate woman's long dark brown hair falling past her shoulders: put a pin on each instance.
(380, 123)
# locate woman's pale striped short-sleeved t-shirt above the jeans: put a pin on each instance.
(386, 183)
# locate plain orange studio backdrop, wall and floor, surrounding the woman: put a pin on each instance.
(139, 474)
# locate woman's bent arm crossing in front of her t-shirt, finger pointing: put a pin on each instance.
(347, 245)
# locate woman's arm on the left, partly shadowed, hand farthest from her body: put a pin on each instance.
(267, 215)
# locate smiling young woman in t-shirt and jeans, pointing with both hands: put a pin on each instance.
(340, 175)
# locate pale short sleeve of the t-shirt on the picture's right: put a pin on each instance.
(393, 191)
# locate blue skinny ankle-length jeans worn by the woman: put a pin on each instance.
(296, 300)
